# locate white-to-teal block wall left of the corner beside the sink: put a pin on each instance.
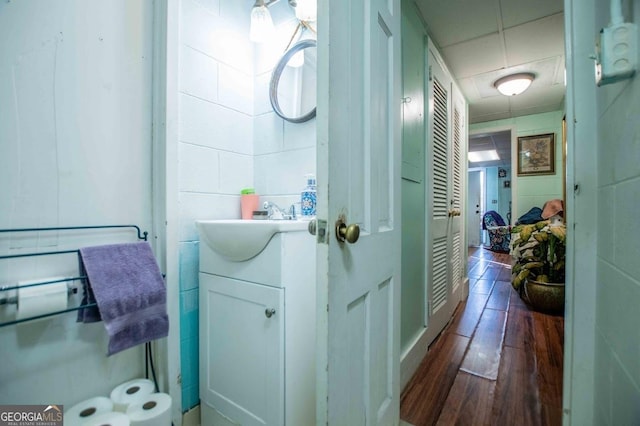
(215, 145)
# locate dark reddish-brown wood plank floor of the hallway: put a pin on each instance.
(497, 362)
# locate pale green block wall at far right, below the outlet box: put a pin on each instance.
(617, 371)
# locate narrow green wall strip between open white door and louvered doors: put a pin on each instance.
(413, 178)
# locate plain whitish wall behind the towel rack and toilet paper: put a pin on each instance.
(75, 149)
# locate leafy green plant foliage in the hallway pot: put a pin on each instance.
(539, 250)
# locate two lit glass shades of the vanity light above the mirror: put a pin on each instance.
(262, 25)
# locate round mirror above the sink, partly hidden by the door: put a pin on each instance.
(293, 83)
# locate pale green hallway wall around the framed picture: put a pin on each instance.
(532, 191)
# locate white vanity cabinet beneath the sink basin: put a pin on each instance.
(257, 334)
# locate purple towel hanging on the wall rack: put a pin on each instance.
(130, 293)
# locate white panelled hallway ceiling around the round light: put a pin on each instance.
(483, 40)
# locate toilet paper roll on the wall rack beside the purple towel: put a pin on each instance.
(41, 299)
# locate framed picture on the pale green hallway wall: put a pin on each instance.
(536, 155)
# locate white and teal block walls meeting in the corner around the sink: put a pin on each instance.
(229, 138)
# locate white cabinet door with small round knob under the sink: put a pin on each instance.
(241, 350)
